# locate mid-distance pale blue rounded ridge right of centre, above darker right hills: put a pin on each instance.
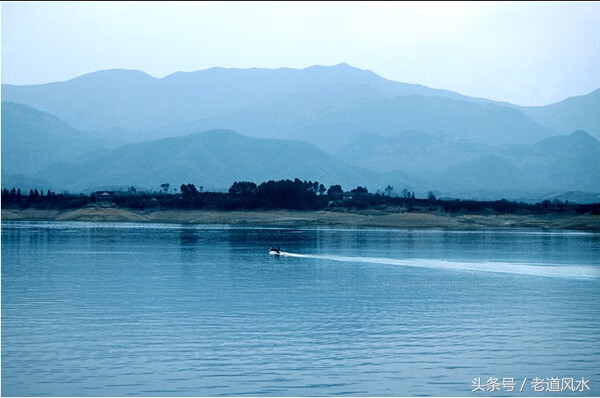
(465, 121)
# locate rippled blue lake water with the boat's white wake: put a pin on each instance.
(156, 309)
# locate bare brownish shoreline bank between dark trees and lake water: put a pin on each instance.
(286, 218)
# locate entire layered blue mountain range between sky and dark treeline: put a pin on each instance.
(332, 124)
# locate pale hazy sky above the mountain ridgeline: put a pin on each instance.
(527, 53)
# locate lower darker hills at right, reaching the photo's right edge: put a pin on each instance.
(553, 165)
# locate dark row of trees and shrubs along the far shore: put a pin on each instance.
(282, 194)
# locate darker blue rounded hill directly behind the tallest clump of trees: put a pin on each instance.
(212, 159)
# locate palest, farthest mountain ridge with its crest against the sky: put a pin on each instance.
(136, 101)
